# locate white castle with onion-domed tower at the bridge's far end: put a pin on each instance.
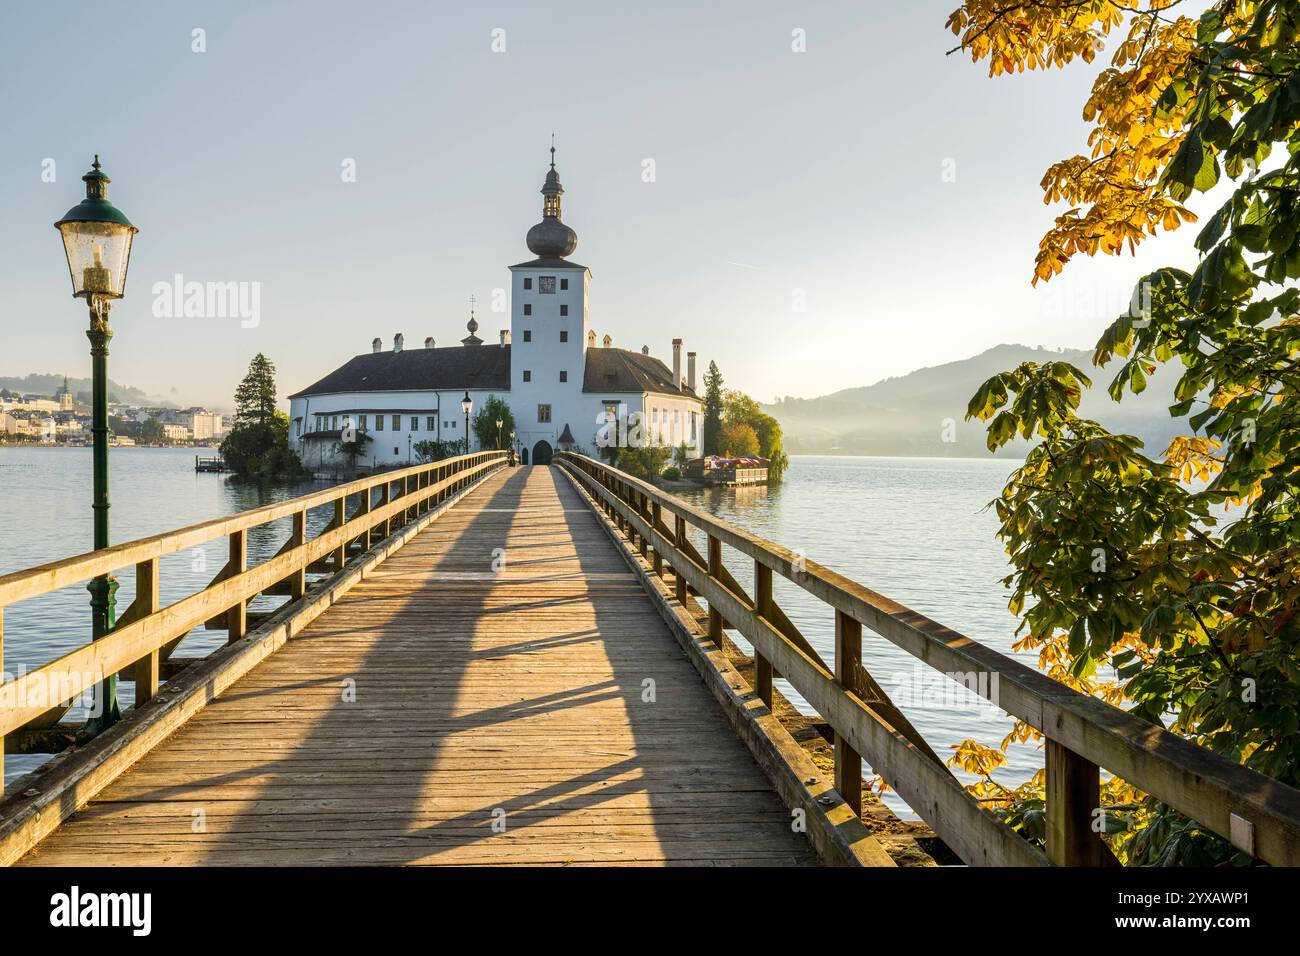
(566, 391)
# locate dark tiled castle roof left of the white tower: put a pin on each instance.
(419, 370)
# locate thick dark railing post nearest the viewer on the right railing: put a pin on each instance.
(1073, 801)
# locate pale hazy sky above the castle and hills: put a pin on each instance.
(778, 176)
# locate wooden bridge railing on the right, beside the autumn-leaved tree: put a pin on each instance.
(1258, 815)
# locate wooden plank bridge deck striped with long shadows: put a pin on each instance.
(513, 698)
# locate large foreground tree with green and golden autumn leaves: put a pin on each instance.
(1125, 563)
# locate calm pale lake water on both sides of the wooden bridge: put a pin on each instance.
(915, 530)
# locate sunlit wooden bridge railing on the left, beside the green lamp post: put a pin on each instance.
(148, 633)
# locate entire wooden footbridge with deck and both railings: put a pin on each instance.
(480, 665)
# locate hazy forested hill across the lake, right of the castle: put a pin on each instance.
(907, 416)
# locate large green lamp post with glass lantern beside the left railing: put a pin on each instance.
(98, 244)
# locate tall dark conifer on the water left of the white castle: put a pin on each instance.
(257, 447)
